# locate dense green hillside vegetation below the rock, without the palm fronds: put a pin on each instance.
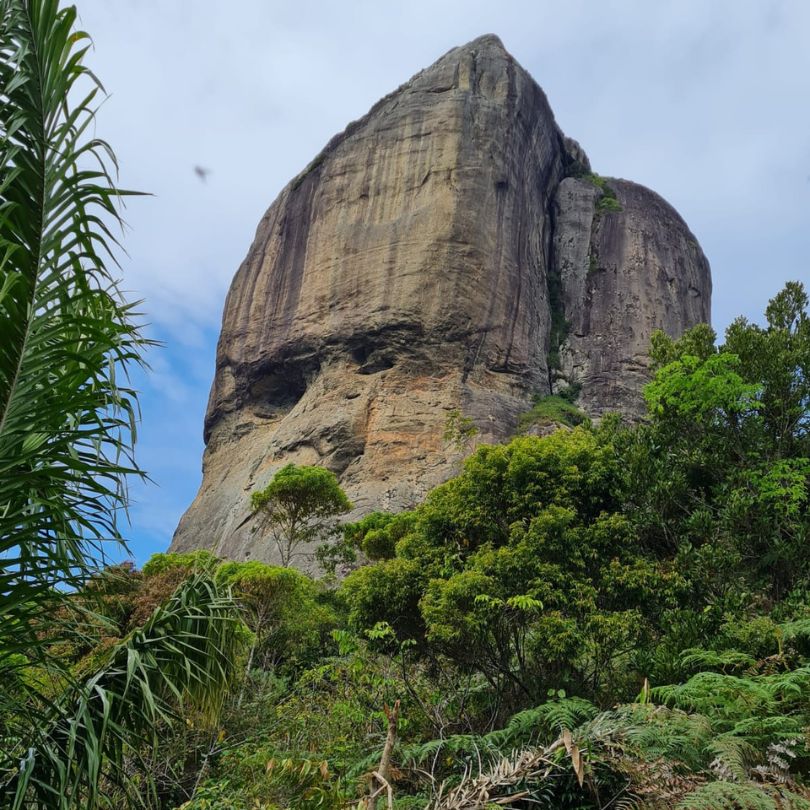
(607, 616)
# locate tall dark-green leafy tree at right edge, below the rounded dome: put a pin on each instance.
(725, 460)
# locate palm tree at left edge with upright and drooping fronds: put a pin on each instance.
(67, 430)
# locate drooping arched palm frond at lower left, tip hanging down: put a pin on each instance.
(184, 657)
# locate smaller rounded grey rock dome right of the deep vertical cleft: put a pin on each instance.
(627, 265)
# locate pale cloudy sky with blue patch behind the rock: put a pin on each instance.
(707, 103)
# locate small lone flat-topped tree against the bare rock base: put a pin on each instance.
(299, 506)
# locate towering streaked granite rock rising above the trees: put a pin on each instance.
(440, 253)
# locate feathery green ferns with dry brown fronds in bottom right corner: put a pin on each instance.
(743, 733)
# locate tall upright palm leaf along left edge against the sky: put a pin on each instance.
(67, 416)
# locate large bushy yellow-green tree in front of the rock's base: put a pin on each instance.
(514, 578)
